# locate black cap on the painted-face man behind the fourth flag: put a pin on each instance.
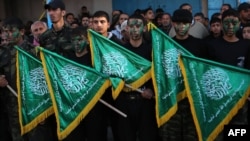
(182, 15)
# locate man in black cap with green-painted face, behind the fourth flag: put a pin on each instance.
(181, 126)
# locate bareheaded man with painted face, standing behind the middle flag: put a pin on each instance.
(139, 107)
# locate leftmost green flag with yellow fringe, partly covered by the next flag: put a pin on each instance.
(34, 101)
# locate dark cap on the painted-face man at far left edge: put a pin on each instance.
(13, 22)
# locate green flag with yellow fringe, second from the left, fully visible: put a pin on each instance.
(74, 89)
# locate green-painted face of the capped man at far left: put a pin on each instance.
(14, 35)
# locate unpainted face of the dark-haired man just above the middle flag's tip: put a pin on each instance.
(101, 25)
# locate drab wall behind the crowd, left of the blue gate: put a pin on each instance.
(33, 9)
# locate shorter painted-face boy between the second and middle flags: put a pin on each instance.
(87, 128)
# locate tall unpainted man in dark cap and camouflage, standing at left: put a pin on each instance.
(57, 39)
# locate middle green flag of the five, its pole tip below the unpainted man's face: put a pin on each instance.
(118, 62)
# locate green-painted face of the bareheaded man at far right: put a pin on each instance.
(230, 25)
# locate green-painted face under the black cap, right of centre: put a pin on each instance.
(181, 28)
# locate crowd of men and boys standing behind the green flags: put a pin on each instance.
(224, 38)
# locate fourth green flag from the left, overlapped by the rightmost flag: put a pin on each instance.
(166, 75)
